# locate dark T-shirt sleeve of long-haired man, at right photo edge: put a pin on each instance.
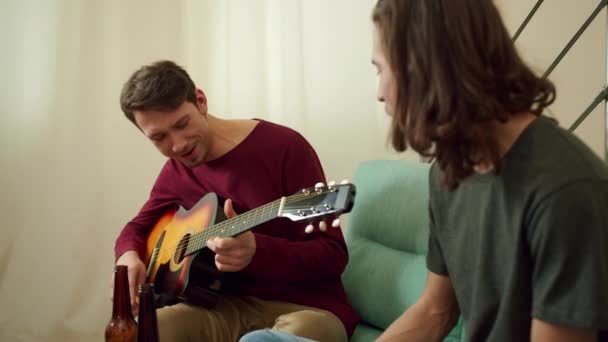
(568, 241)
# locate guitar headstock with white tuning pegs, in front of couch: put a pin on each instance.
(319, 202)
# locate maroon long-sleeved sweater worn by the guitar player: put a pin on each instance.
(289, 265)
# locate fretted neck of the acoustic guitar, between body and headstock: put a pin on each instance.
(236, 225)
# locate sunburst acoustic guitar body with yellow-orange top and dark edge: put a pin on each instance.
(192, 278)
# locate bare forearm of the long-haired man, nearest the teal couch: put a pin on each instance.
(420, 323)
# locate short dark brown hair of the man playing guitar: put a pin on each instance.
(162, 85)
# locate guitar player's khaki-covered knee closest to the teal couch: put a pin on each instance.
(317, 325)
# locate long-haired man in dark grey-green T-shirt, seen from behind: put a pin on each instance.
(519, 207)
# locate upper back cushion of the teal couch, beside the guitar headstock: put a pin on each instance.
(392, 194)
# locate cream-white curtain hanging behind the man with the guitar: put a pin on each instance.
(74, 170)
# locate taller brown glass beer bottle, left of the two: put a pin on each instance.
(122, 326)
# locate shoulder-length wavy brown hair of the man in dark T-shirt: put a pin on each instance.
(456, 71)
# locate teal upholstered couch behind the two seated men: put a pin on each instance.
(387, 236)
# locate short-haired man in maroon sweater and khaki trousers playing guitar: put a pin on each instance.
(275, 275)
